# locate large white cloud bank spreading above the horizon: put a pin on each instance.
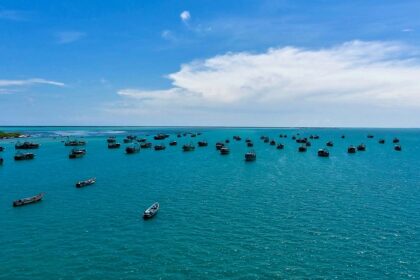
(319, 85)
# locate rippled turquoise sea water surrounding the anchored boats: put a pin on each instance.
(286, 215)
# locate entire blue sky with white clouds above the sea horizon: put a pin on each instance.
(210, 63)
